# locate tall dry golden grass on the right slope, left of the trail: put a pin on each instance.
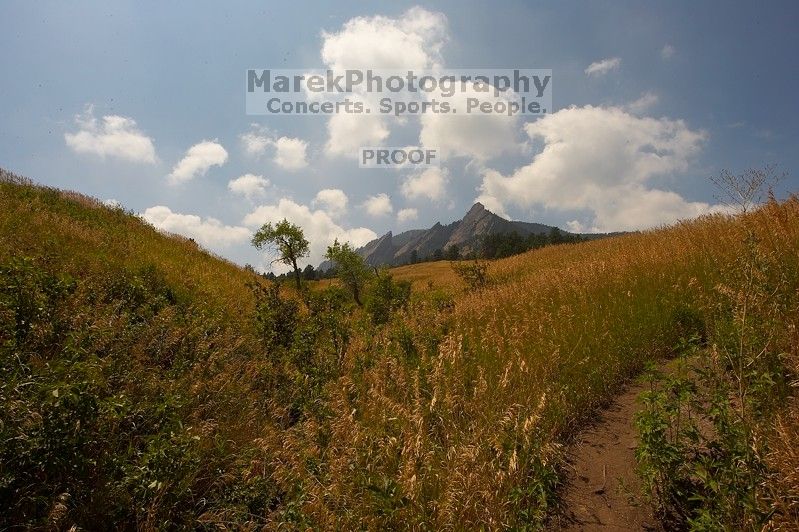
(469, 432)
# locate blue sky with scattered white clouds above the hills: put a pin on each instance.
(707, 85)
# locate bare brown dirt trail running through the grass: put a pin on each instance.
(603, 491)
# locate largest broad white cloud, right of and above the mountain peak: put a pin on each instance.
(599, 162)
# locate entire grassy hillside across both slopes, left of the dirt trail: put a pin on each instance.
(147, 384)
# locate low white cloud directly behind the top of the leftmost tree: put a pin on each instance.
(319, 228)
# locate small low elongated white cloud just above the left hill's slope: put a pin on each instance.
(209, 232)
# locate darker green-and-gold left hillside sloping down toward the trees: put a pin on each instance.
(130, 380)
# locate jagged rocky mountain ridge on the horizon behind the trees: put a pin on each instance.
(466, 233)
